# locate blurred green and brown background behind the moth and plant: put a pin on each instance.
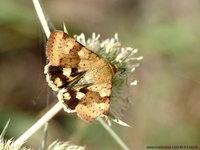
(165, 106)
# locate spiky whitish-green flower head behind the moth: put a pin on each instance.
(122, 57)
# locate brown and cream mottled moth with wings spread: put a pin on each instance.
(82, 79)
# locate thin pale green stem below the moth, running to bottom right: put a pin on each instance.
(113, 134)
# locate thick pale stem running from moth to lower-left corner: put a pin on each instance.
(50, 114)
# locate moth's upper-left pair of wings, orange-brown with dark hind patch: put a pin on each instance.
(65, 57)
